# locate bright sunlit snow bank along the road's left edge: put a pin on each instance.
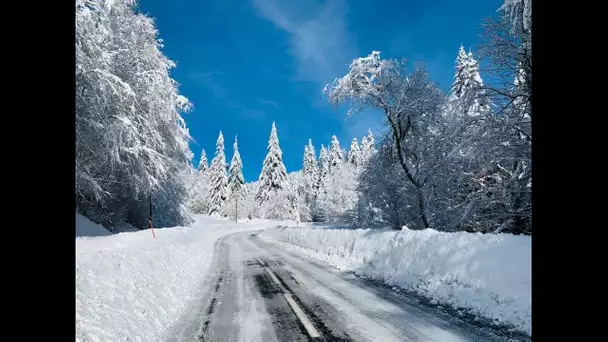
(132, 286)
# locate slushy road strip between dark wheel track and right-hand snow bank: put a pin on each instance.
(364, 313)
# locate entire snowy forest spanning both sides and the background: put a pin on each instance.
(451, 161)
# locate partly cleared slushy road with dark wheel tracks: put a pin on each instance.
(244, 303)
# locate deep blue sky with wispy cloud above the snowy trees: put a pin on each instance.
(247, 63)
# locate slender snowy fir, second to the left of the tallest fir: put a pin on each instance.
(219, 179)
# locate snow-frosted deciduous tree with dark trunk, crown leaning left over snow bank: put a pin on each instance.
(412, 105)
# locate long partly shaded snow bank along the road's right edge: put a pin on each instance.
(489, 275)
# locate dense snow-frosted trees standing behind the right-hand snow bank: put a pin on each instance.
(459, 161)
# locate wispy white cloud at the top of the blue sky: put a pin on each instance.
(319, 38)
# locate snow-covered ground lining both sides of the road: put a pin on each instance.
(133, 286)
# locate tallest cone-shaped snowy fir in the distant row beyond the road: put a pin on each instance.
(273, 175)
